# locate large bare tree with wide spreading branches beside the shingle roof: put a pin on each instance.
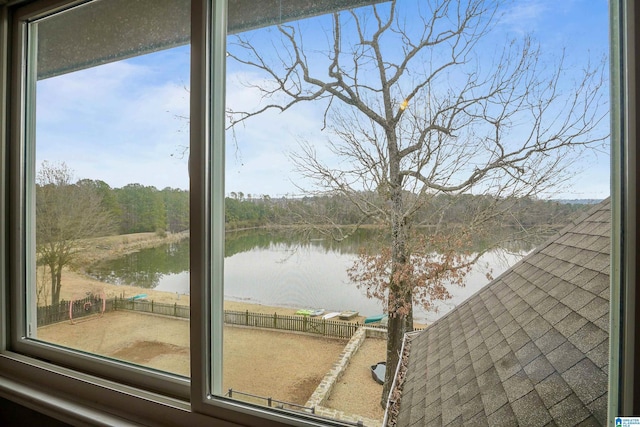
(413, 111)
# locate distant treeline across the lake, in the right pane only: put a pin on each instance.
(525, 212)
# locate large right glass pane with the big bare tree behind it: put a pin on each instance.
(386, 163)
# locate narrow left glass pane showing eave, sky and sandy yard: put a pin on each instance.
(108, 149)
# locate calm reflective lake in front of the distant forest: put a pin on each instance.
(282, 270)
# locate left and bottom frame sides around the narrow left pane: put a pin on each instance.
(22, 206)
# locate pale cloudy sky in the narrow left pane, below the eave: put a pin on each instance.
(122, 122)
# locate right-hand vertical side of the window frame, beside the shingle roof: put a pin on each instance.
(624, 343)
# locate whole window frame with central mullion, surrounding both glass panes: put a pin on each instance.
(83, 389)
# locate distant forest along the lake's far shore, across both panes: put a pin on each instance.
(137, 208)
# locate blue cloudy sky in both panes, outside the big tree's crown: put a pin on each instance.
(127, 122)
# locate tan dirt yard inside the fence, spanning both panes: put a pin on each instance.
(284, 366)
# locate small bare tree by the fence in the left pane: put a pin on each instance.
(65, 213)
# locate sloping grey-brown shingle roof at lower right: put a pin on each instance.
(529, 349)
